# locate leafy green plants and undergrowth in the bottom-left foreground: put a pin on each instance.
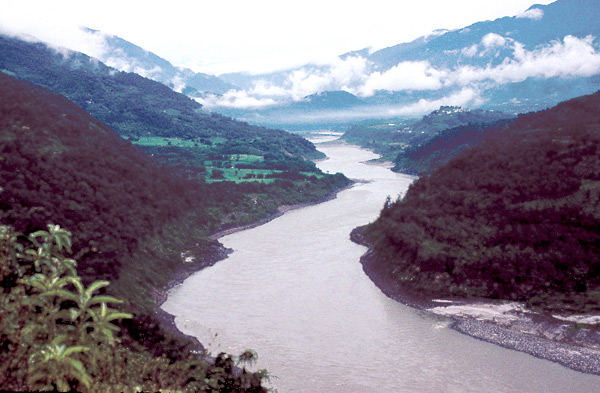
(59, 334)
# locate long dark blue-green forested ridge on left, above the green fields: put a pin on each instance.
(139, 107)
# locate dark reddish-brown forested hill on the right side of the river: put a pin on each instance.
(514, 217)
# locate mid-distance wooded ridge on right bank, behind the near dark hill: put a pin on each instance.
(420, 145)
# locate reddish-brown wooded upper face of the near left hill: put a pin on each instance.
(59, 165)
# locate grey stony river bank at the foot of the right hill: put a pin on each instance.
(509, 325)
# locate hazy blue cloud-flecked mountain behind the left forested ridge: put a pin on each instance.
(126, 56)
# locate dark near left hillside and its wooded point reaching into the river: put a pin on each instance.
(135, 222)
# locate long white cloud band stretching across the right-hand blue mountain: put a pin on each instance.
(566, 58)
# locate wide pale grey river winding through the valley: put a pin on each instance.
(294, 291)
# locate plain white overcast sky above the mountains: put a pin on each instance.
(219, 36)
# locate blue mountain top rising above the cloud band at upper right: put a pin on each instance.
(539, 25)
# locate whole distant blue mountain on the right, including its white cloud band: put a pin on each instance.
(545, 55)
